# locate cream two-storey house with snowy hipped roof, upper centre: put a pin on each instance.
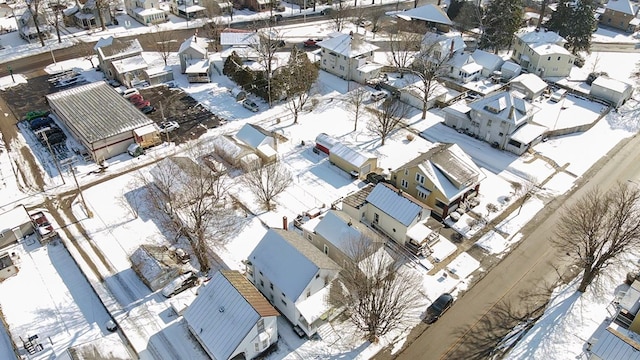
(349, 57)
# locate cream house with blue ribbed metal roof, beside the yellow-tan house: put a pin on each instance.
(387, 209)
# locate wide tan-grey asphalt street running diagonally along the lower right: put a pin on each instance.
(472, 325)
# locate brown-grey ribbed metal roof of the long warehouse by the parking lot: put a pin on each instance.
(96, 111)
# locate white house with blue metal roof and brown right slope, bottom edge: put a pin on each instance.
(231, 319)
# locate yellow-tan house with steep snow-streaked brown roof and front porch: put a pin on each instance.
(441, 178)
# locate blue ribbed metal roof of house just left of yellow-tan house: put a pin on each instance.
(395, 203)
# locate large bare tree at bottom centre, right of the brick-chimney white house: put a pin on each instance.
(377, 292)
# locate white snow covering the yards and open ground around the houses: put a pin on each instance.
(65, 308)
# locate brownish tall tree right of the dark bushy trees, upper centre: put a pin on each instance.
(296, 79)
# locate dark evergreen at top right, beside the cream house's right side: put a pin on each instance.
(574, 20)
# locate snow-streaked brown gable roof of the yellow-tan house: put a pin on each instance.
(445, 163)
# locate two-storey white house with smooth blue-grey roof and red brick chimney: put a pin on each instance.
(295, 276)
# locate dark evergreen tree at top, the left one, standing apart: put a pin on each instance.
(501, 20)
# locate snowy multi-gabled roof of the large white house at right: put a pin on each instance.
(505, 106)
